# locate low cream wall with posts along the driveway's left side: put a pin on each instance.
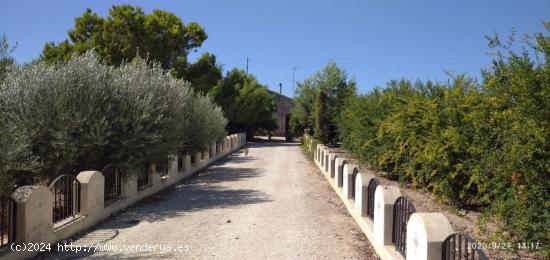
(34, 204)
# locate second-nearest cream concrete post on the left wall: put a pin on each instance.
(92, 186)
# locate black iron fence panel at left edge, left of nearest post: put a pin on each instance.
(7, 220)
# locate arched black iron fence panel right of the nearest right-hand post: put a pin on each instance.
(459, 246)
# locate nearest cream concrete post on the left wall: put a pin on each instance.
(34, 214)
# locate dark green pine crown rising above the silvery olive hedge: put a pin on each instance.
(127, 32)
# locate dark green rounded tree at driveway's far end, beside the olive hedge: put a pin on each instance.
(246, 103)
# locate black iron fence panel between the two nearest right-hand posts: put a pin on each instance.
(402, 210)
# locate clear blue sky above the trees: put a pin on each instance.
(375, 41)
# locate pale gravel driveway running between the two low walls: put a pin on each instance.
(271, 204)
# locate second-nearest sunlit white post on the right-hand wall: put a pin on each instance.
(384, 198)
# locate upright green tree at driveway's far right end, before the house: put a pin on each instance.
(337, 88)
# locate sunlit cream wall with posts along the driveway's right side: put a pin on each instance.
(425, 232)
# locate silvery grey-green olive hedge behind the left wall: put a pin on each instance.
(82, 114)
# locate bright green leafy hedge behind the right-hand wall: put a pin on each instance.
(485, 145)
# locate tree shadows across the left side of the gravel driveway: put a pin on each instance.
(200, 192)
